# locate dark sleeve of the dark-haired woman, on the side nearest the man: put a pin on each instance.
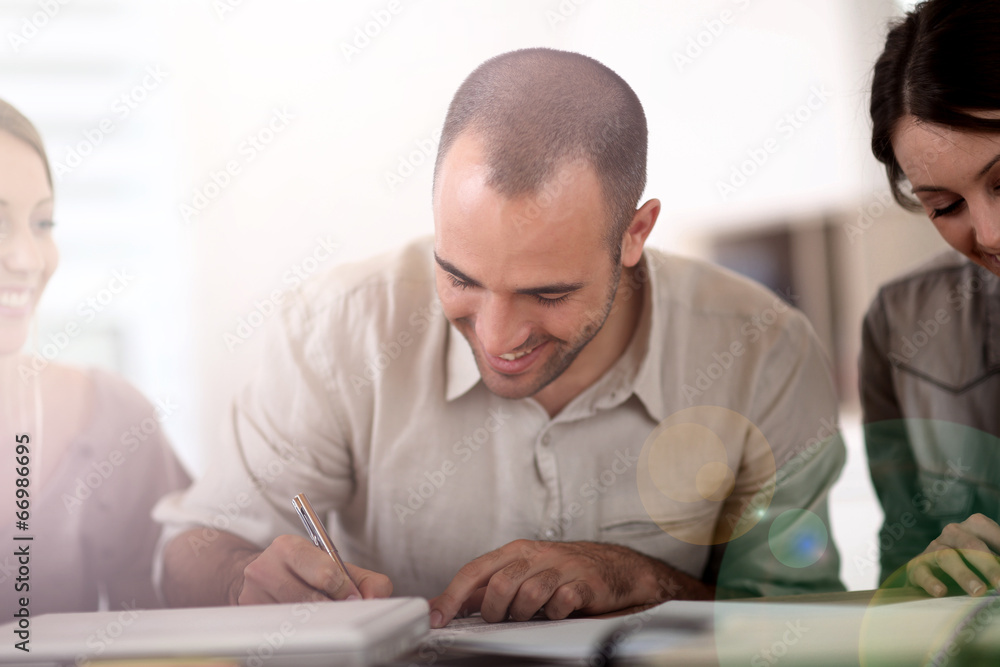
(905, 532)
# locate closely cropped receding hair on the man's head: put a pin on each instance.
(536, 109)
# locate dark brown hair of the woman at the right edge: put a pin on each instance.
(941, 64)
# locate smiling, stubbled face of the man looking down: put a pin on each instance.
(528, 281)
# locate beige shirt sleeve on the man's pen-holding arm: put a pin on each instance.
(282, 436)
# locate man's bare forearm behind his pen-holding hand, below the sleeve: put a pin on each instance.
(202, 573)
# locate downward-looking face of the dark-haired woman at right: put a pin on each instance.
(956, 176)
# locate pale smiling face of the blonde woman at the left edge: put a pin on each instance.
(28, 254)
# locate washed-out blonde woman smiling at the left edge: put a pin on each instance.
(83, 458)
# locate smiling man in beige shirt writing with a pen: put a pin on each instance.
(524, 357)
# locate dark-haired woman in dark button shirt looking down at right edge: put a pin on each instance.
(930, 363)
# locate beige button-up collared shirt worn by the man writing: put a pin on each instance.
(370, 402)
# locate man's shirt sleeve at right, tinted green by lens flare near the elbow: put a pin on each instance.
(782, 486)
